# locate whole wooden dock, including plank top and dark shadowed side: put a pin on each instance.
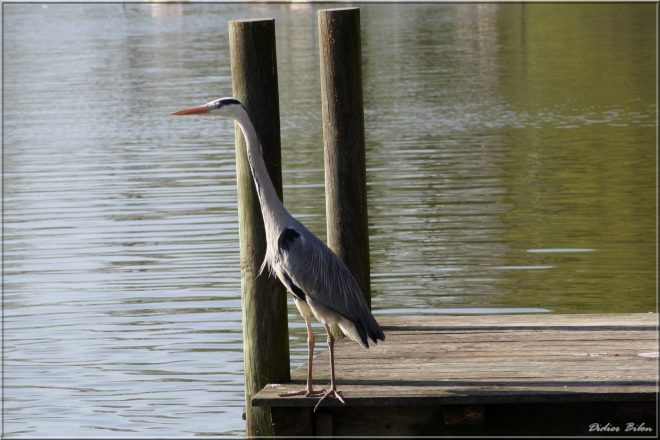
(540, 374)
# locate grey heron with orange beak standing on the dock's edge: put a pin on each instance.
(319, 281)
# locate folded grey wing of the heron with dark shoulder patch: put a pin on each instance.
(320, 273)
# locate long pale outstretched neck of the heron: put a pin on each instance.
(272, 209)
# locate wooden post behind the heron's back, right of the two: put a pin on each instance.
(343, 140)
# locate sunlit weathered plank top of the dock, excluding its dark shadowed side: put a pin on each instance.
(528, 358)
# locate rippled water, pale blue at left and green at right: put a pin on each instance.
(511, 167)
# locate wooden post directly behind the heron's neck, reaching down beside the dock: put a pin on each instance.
(265, 326)
